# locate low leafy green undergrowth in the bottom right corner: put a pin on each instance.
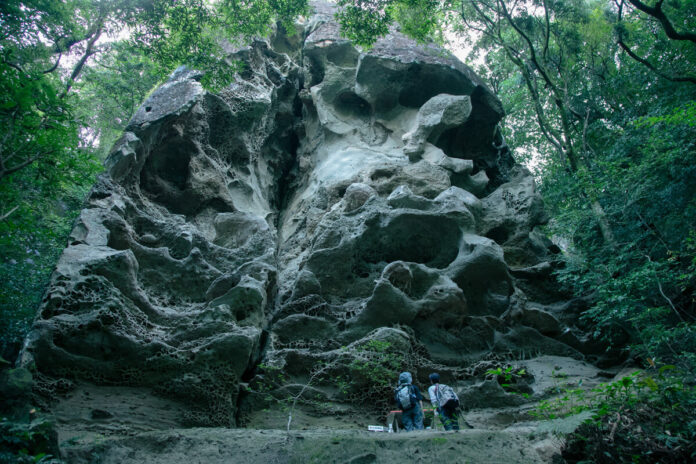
(646, 417)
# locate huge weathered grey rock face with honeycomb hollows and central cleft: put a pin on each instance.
(325, 199)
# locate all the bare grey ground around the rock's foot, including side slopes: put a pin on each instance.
(110, 425)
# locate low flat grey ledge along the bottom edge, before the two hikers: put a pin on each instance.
(217, 445)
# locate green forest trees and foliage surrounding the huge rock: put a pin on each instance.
(599, 95)
